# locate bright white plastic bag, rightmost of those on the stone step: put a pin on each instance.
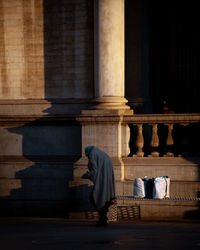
(161, 187)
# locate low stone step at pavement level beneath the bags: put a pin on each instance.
(147, 210)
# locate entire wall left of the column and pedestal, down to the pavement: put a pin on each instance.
(46, 79)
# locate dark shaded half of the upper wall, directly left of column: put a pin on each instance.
(68, 49)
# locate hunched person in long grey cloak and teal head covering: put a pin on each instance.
(102, 175)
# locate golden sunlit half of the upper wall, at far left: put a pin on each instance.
(21, 39)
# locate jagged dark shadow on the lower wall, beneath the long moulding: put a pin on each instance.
(39, 183)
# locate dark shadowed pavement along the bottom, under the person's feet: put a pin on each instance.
(60, 234)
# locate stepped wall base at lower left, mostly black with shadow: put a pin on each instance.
(35, 186)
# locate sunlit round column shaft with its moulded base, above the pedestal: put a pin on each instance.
(109, 54)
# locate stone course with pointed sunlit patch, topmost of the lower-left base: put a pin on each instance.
(36, 168)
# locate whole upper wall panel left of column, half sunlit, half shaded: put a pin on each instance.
(46, 49)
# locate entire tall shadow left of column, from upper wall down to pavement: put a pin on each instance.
(40, 176)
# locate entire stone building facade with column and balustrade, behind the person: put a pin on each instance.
(118, 74)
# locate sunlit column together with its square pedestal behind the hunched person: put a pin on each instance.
(103, 126)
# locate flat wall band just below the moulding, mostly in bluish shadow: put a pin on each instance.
(51, 140)
